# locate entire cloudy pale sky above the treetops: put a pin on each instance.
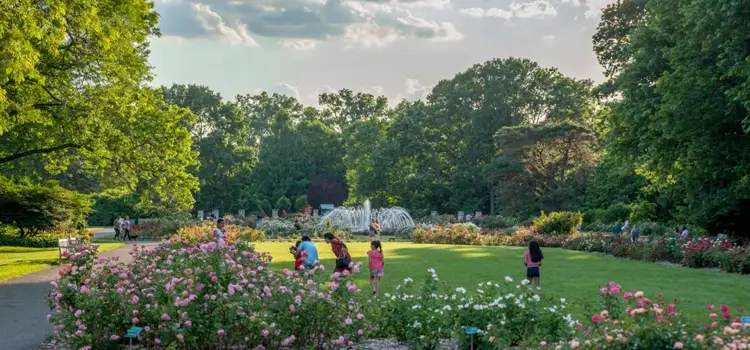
(396, 48)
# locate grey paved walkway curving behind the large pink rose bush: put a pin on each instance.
(23, 304)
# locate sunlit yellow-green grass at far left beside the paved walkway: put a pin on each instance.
(19, 261)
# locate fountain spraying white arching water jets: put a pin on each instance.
(358, 219)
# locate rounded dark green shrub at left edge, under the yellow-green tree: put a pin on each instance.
(34, 209)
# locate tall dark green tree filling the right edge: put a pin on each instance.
(684, 101)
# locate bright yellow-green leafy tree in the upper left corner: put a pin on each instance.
(72, 91)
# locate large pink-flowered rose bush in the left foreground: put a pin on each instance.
(204, 296)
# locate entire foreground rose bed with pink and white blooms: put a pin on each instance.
(219, 296)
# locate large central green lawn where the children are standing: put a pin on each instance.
(573, 275)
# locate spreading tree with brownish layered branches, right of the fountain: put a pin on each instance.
(543, 166)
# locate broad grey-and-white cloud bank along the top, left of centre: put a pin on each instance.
(300, 24)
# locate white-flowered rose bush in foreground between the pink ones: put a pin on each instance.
(506, 314)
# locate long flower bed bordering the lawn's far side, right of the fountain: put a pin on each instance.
(695, 252)
